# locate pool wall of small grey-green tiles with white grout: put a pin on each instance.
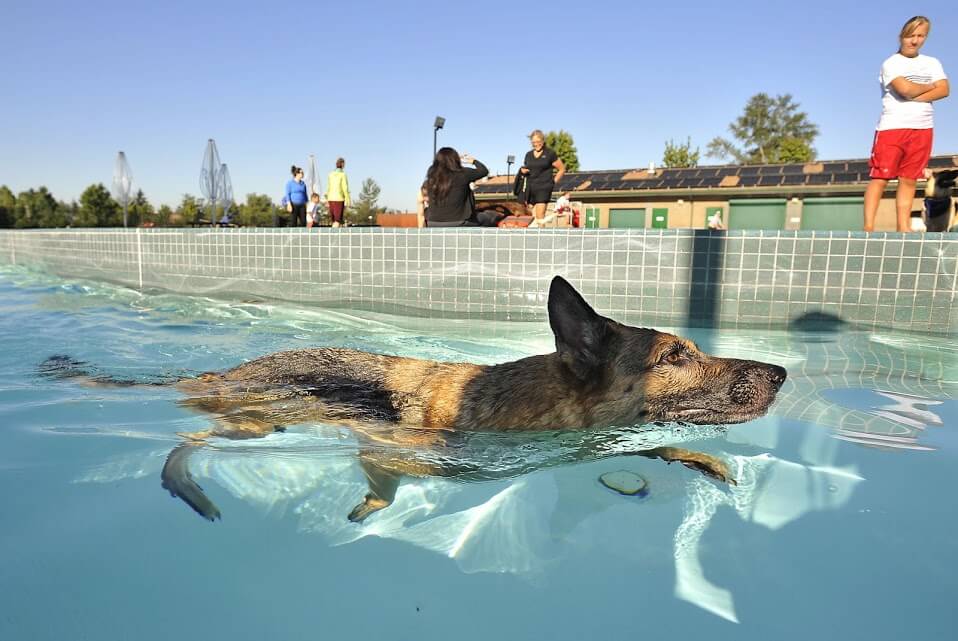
(674, 277)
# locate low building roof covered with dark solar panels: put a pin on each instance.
(827, 175)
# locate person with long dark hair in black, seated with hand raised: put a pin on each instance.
(451, 203)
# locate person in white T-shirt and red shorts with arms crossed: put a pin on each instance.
(910, 82)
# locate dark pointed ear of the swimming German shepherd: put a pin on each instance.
(581, 334)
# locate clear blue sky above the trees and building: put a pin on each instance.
(272, 83)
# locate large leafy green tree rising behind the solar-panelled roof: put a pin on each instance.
(771, 130)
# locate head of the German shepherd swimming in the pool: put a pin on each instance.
(630, 375)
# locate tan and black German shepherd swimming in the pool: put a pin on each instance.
(602, 374)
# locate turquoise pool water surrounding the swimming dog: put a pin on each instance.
(842, 524)
